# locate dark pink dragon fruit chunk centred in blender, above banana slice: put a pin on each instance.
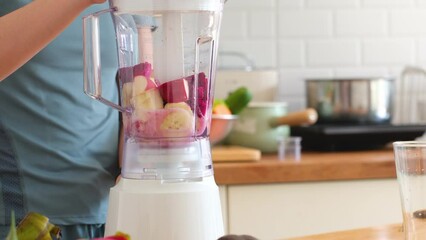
(174, 91)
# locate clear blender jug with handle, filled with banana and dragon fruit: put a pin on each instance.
(167, 60)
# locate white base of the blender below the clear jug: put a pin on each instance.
(165, 210)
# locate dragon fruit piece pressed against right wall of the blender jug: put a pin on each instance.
(202, 94)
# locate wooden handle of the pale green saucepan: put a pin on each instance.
(308, 116)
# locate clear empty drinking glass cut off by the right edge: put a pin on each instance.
(410, 160)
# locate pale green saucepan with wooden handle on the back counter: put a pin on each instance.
(262, 124)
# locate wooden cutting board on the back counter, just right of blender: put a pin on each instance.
(235, 154)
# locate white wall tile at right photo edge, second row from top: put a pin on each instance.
(408, 22)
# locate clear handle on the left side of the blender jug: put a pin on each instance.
(92, 59)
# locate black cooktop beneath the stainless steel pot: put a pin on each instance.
(354, 137)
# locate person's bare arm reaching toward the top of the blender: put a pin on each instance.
(25, 31)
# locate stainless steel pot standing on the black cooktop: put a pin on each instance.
(345, 101)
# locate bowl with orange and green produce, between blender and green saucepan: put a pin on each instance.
(225, 113)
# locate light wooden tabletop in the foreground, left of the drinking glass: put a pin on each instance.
(388, 232)
